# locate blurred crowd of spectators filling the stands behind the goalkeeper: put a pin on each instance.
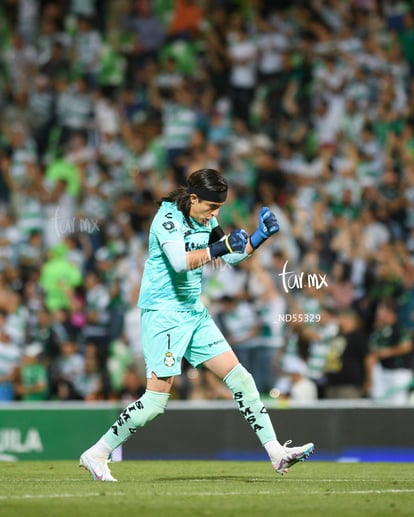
(305, 107)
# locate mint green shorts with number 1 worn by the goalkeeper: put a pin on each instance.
(168, 336)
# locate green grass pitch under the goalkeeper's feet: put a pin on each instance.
(207, 488)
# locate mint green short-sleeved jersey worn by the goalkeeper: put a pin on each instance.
(162, 288)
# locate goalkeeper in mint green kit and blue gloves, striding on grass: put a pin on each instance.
(185, 235)
